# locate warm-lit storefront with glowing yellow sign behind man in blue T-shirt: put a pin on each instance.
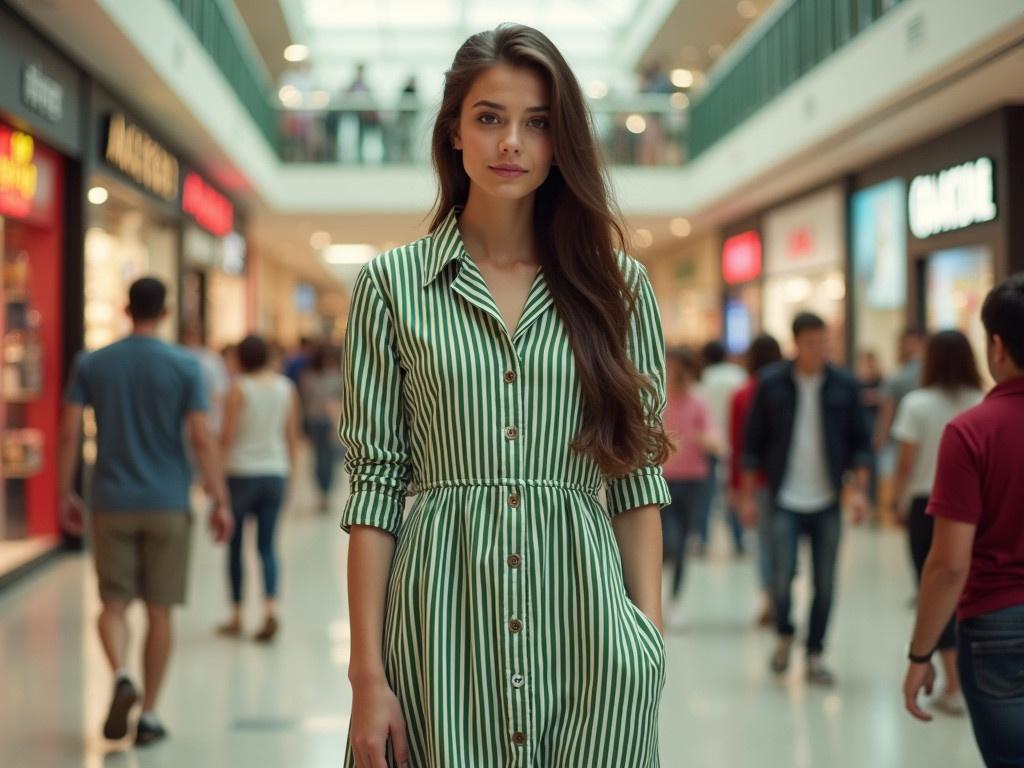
(134, 224)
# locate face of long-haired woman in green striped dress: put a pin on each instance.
(504, 133)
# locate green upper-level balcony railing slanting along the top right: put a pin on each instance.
(773, 58)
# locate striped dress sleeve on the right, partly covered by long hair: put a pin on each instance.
(646, 486)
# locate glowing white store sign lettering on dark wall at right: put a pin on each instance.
(953, 200)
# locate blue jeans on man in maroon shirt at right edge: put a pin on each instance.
(991, 660)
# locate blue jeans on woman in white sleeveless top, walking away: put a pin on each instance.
(261, 498)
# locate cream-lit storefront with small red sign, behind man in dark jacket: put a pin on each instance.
(805, 260)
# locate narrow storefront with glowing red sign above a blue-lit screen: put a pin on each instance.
(742, 270)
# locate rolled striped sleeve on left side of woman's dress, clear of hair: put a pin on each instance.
(373, 424)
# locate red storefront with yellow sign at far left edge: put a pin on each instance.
(40, 147)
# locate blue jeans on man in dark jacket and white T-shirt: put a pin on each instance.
(823, 529)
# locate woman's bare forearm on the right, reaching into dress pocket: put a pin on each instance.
(638, 533)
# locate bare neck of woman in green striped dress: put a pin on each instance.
(499, 231)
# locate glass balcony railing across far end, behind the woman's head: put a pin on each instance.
(647, 130)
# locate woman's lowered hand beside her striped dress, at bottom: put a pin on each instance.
(376, 718)
